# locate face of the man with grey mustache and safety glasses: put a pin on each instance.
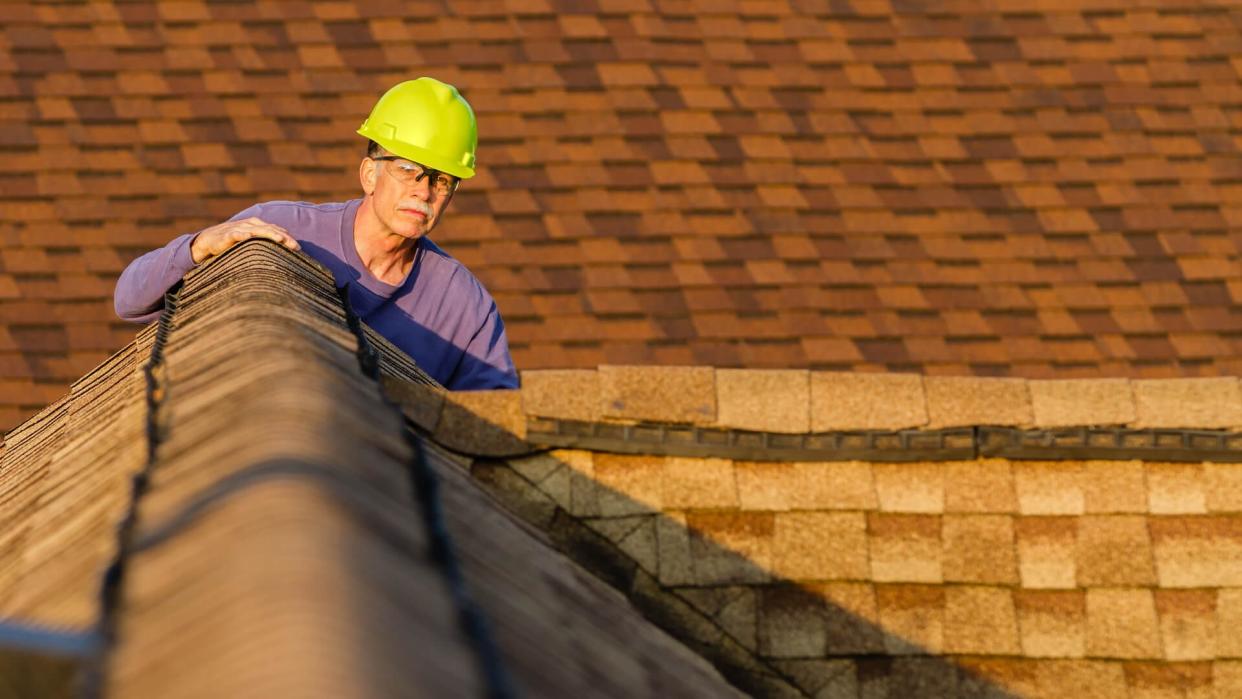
(410, 210)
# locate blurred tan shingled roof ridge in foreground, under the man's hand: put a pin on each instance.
(286, 537)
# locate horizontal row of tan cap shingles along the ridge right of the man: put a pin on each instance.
(815, 402)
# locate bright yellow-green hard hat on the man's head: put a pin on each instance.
(429, 122)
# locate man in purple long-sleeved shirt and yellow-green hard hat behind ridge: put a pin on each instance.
(423, 140)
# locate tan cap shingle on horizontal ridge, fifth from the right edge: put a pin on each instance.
(764, 400)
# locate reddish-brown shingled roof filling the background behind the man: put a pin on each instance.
(1048, 191)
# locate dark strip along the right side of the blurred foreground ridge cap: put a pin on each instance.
(427, 492)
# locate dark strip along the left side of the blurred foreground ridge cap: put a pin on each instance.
(115, 575)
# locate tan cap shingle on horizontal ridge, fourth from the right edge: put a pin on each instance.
(866, 402)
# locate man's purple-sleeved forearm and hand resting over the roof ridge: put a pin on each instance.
(140, 296)
